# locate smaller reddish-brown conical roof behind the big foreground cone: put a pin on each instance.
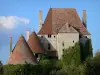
(34, 43)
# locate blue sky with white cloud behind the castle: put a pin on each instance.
(17, 16)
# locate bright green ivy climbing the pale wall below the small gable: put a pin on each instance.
(72, 55)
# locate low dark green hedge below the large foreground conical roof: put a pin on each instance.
(26, 69)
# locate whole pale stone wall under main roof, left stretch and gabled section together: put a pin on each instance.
(57, 42)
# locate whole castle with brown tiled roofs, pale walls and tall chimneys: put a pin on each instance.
(62, 28)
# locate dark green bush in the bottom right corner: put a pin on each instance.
(93, 65)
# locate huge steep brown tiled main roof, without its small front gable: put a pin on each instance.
(57, 17)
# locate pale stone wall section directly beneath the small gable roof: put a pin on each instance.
(68, 39)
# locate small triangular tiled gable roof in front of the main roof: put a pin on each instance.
(66, 28)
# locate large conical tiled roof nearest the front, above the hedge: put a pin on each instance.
(21, 53)
